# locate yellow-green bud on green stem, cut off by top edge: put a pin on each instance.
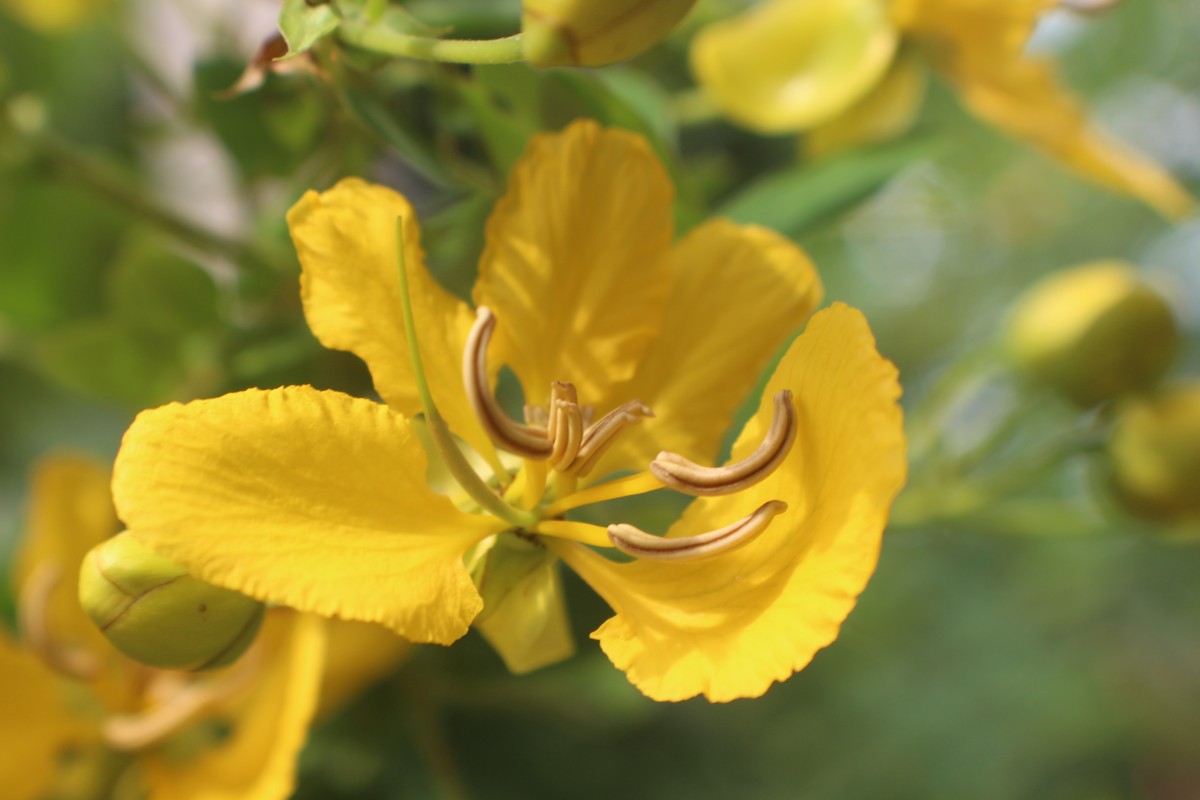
(593, 33)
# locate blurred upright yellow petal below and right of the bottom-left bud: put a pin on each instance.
(268, 723)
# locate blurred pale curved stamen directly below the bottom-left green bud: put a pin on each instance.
(184, 703)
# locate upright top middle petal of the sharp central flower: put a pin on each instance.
(574, 263)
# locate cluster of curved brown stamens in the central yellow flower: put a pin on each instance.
(563, 438)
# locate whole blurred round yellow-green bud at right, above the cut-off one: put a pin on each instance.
(1094, 333)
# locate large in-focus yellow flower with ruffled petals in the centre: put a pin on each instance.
(325, 502)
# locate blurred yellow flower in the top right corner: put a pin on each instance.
(848, 73)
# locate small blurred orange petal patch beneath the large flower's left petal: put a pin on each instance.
(358, 655)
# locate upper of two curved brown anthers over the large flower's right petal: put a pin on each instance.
(691, 478)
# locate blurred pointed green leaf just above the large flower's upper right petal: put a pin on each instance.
(797, 200)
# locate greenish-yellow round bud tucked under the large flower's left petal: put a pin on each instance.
(153, 611)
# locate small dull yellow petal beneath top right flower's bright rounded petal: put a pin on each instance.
(887, 111)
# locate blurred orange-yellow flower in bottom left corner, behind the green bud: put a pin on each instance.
(83, 721)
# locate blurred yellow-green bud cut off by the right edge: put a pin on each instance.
(1155, 455)
